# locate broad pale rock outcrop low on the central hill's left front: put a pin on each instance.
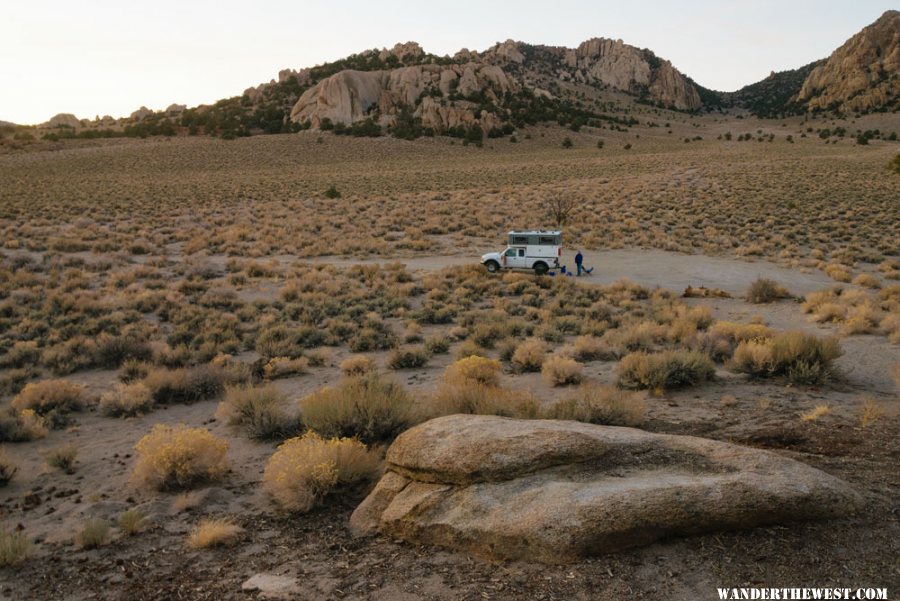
(350, 96)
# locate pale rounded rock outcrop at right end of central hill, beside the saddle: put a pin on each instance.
(631, 69)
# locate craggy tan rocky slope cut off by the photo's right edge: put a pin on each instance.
(861, 75)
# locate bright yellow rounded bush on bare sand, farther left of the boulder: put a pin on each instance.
(177, 457)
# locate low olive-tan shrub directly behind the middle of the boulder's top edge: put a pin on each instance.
(604, 405)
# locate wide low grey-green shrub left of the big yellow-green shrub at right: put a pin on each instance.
(665, 370)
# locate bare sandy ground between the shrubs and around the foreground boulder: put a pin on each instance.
(327, 563)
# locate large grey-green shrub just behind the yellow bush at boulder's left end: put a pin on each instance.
(368, 407)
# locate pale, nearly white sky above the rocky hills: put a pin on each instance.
(110, 57)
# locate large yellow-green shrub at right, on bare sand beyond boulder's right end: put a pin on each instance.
(802, 358)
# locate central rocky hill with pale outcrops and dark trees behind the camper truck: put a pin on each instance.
(486, 88)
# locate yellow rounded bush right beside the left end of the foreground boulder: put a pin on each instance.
(306, 469)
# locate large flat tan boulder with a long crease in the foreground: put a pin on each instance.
(554, 491)
